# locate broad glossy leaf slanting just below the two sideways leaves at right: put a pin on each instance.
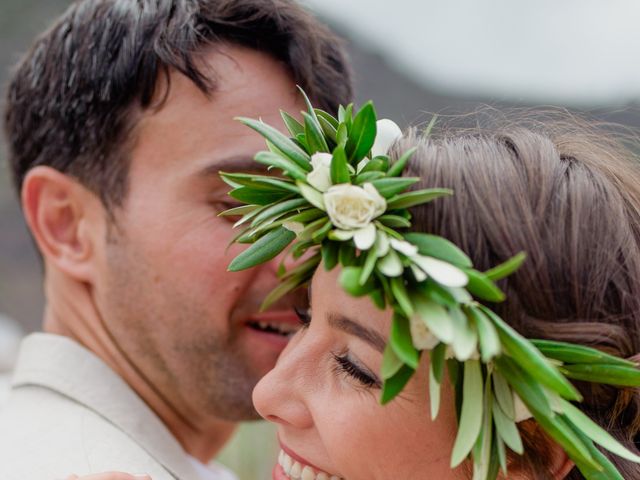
(530, 358)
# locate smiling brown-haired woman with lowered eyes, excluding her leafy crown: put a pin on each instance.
(568, 198)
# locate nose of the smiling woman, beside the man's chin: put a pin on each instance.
(281, 395)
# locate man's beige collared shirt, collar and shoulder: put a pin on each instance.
(68, 412)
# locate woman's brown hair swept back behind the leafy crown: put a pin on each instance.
(570, 198)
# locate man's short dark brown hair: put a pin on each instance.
(72, 100)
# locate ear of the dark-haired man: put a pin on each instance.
(58, 211)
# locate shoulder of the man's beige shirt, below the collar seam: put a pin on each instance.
(45, 435)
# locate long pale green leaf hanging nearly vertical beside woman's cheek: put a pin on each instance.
(471, 415)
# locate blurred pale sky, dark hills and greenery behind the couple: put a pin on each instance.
(414, 58)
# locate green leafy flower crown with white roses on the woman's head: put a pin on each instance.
(342, 198)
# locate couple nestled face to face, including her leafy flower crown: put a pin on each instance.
(473, 297)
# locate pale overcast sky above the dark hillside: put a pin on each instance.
(584, 52)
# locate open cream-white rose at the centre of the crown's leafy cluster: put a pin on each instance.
(351, 207)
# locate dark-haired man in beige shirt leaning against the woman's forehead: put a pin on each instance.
(119, 119)
